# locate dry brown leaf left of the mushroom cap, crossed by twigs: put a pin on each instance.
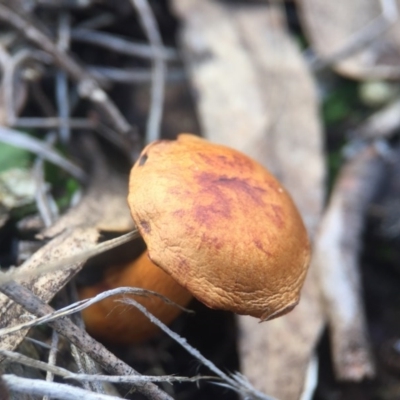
(102, 207)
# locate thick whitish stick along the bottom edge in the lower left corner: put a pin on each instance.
(59, 391)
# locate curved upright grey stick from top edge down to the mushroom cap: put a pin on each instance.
(150, 27)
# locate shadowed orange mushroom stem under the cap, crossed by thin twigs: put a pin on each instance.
(120, 323)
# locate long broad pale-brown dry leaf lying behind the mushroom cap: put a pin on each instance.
(256, 94)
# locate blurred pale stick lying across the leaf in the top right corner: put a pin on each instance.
(362, 38)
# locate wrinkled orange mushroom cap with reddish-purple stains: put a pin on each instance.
(221, 225)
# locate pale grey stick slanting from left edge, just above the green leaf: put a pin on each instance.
(42, 149)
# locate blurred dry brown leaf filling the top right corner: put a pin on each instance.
(332, 25)
